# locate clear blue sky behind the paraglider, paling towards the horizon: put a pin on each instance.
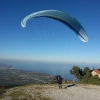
(45, 39)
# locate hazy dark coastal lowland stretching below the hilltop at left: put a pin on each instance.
(12, 77)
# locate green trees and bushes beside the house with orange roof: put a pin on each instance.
(84, 75)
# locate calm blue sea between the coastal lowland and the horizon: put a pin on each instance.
(52, 68)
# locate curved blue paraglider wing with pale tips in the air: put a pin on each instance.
(63, 17)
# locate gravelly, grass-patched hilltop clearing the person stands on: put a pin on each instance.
(52, 92)
